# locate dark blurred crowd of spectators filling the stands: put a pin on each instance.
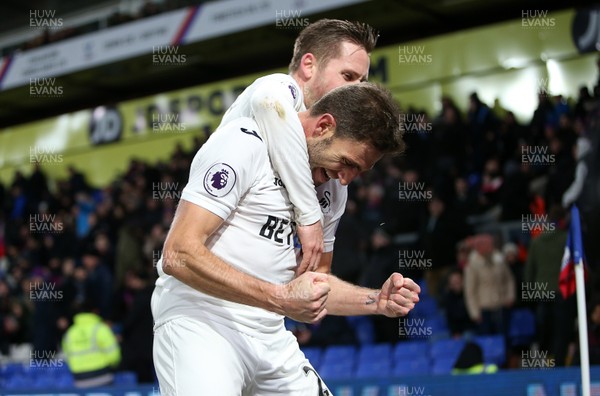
(100, 246)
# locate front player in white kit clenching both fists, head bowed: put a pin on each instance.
(227, 274)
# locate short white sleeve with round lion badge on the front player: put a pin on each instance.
(219, 178)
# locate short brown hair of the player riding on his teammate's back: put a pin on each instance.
(323, 39)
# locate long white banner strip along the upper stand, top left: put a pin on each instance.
(155, 34)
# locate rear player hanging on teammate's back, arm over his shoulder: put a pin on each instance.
(327, 54)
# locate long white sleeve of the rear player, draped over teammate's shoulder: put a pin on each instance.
(274, 102)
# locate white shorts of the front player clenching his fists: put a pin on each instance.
(194, 357)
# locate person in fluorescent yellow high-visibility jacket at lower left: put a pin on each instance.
(91, 349)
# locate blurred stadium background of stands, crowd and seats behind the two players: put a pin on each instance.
(103, 105)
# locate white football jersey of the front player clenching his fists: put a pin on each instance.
(231, 176)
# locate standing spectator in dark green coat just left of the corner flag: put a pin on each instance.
(555, 317)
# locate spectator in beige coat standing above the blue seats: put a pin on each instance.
(489, 287)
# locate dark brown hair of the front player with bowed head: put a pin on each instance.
(364, 112)
